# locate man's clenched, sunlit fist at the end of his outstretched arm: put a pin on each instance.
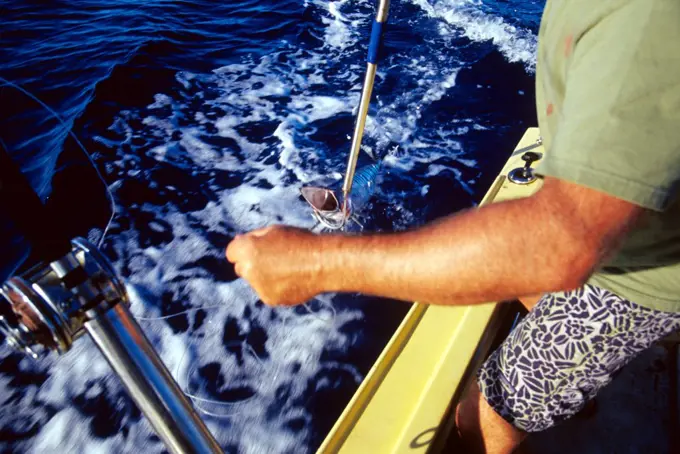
(282, 264)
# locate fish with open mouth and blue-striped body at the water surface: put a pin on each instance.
(333, 214)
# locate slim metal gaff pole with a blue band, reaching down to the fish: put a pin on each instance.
(372, 66)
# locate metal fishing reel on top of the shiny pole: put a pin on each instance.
(45, 309)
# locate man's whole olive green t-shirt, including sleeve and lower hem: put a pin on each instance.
(608, 99)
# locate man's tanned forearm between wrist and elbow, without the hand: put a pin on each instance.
(480, 255)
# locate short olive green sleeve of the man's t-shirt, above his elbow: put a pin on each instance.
(619, 127)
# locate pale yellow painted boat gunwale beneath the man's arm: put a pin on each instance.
(407, 395)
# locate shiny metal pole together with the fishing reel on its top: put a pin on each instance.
(53, 304)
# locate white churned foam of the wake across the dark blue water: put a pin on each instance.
(283, 96)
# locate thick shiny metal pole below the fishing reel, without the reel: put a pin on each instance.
(149, 383)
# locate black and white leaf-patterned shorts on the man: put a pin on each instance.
(564, 351)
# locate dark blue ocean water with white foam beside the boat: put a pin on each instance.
(205, 119)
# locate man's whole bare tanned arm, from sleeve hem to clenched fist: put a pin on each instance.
(548, 242)
